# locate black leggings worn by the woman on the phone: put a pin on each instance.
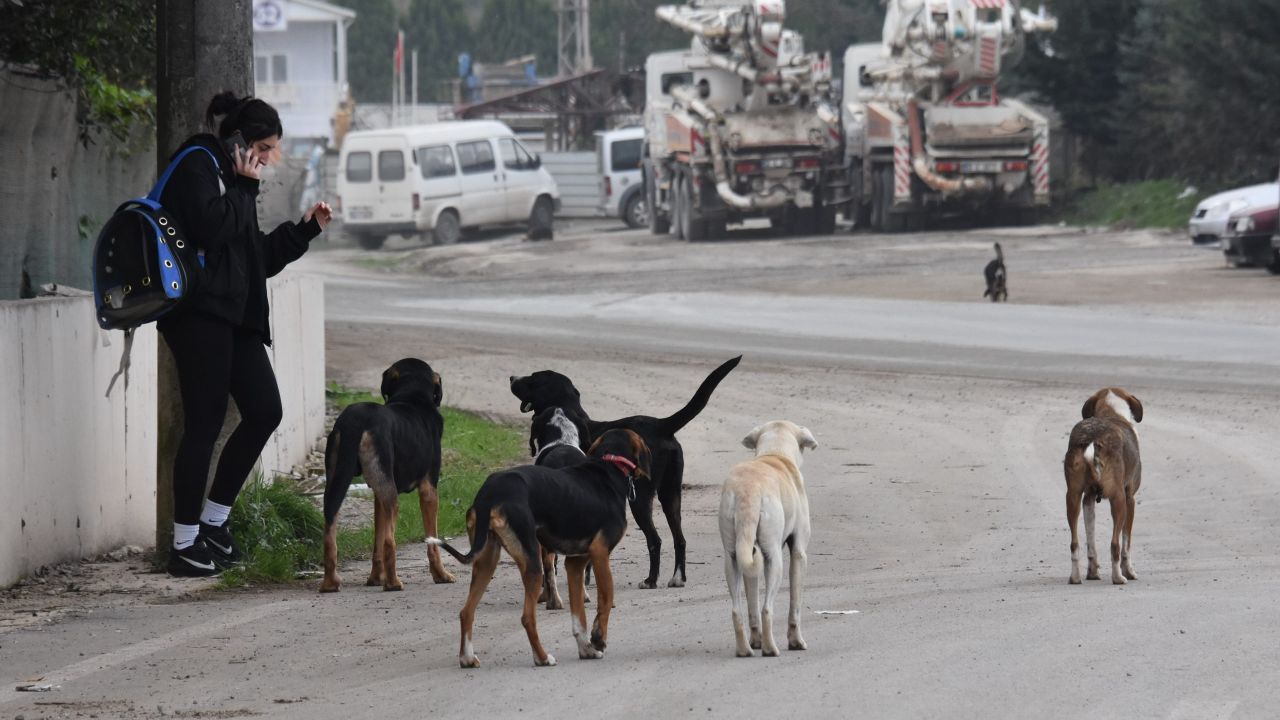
(217, 361)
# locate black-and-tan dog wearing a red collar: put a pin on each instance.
(578, 512)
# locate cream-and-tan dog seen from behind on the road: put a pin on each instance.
(764, 505)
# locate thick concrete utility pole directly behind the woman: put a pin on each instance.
(202, 49)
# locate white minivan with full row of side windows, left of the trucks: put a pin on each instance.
(433, 181)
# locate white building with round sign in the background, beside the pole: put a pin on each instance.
(300, 63)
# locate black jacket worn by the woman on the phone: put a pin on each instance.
(218, 211)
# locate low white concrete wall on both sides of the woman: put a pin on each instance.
(79, 470)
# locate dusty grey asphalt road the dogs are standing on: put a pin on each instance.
(938, 581)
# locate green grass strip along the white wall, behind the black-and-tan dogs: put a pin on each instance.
(281, 531)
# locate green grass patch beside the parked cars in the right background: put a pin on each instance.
(1149, 204)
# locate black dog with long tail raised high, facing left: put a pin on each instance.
(547, 389)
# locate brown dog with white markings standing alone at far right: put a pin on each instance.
(1103, 462)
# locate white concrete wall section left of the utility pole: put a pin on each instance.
(77, 470)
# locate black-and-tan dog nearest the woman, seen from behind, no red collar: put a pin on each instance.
(396, 448)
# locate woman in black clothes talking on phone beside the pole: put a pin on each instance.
(220, 338)
